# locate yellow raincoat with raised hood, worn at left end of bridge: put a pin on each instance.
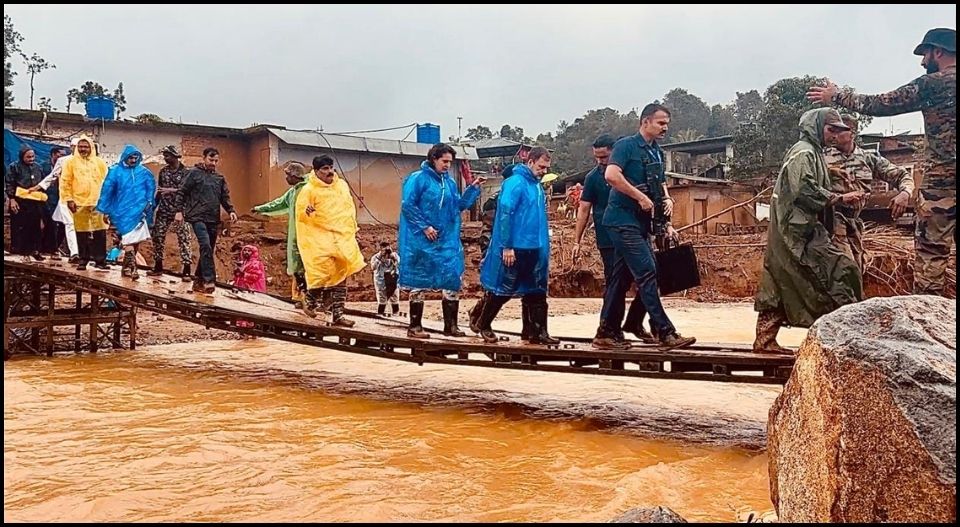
(80, 183)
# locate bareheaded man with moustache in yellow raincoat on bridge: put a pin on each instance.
(327, 238)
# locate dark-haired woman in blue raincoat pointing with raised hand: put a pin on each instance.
(431, 253)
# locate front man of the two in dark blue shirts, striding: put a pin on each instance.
(636, 173)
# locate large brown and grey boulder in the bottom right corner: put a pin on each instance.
(866, 427)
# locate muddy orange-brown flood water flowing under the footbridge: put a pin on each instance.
(268, 431)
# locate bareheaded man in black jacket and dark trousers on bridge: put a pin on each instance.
(202, 193)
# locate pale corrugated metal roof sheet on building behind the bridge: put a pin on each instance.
(363, 144)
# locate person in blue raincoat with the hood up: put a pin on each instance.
(127, 199)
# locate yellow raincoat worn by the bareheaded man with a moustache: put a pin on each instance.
(327, 238)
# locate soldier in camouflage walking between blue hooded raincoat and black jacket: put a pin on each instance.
(168, 203)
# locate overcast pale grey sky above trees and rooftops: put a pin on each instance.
(364, 67)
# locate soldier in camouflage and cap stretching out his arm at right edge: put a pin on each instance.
(935, 95)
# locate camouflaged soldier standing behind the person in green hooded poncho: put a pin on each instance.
(853, 170)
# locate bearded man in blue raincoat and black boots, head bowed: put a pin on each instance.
(518, 260)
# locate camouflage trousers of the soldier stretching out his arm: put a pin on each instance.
(934, 237)
